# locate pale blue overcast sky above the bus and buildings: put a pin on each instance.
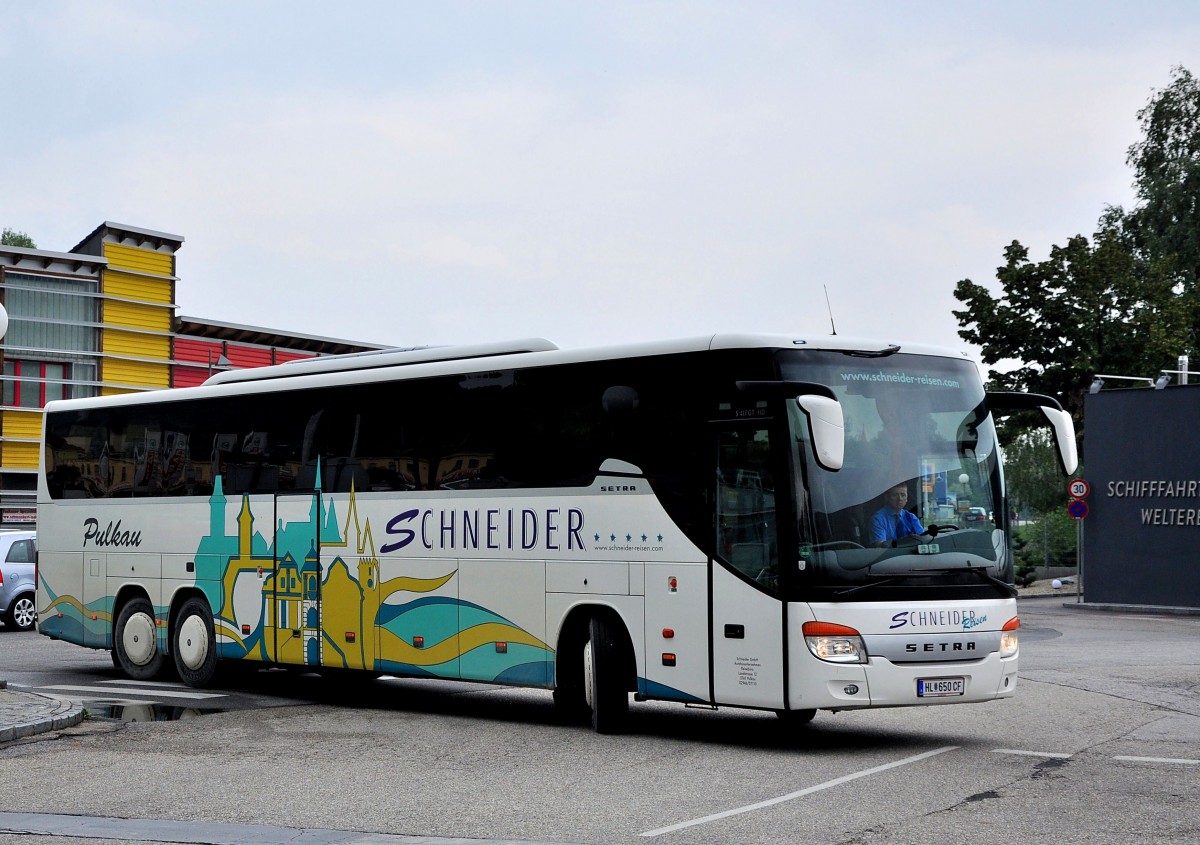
(592, 173)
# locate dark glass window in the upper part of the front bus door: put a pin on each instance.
(746, 505)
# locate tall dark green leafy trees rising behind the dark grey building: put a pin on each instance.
(1127, 302)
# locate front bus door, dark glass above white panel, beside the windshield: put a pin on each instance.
(747, 609)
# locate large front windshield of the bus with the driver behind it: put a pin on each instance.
(919, 496)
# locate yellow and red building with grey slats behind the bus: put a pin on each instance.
(101, 320)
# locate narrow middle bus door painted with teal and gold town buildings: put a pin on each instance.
(298, 576)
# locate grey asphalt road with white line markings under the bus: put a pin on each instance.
(1101, 745)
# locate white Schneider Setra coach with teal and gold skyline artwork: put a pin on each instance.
(747, 522)
